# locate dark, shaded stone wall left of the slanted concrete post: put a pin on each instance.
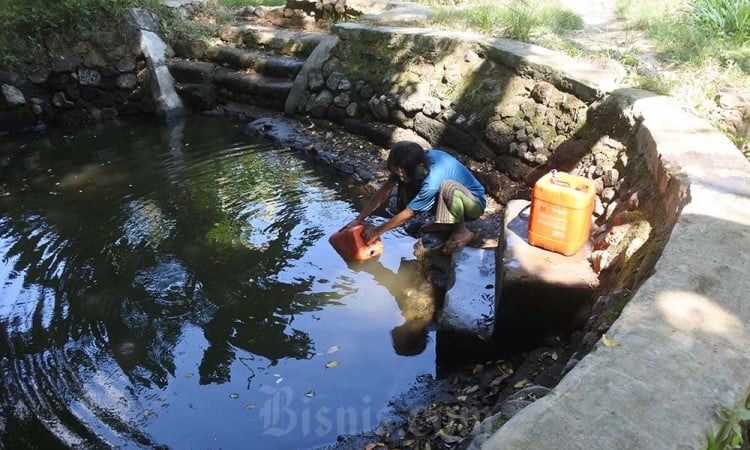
(97, 77)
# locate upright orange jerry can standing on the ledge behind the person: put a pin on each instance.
(561, 207)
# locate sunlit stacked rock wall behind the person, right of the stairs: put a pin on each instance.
(450, 91)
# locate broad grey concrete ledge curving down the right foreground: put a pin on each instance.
(682, 339)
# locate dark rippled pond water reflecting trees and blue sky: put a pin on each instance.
(173, 286)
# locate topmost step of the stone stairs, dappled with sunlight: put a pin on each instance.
(276, 41)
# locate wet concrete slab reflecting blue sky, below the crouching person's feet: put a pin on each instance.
(469, 307)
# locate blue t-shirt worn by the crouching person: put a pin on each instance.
(444, 167)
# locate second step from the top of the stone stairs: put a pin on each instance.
(258, 61)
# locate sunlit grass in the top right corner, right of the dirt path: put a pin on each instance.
(704, 46)
